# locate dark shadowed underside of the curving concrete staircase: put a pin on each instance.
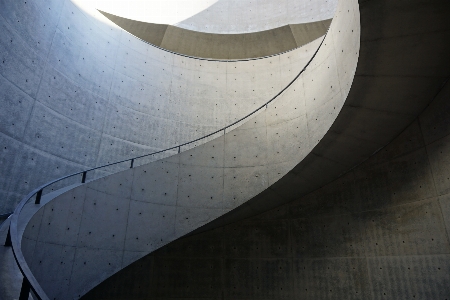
(390, 88)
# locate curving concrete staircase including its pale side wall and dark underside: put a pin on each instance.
(68, 241)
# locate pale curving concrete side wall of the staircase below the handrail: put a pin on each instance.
(124, 216)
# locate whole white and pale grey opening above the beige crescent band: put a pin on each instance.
(221, 16)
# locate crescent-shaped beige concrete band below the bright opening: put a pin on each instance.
(224, 46)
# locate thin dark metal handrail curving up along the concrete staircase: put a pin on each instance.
(29, 281)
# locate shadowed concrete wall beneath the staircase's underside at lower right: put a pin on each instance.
(381, 231)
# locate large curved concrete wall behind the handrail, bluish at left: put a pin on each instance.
(76, 92)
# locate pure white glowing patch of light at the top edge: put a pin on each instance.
(152, 11)
